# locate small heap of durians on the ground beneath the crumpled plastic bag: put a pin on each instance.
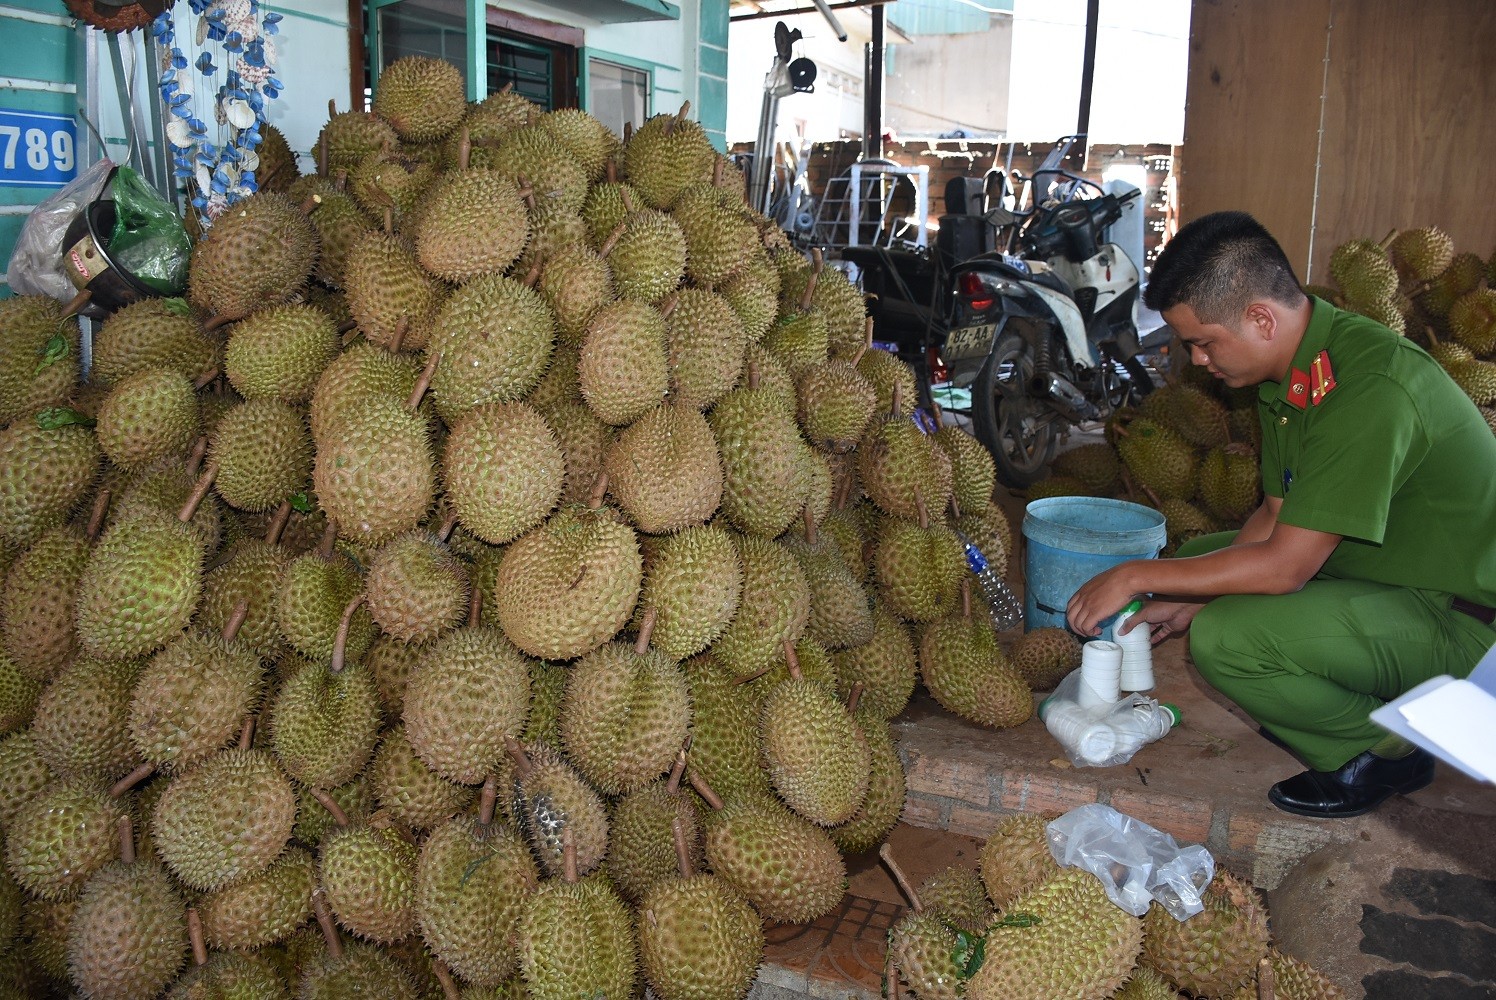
(1024, 929)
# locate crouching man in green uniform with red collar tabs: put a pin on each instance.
(1371, 565)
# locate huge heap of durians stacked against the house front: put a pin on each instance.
(496, 577)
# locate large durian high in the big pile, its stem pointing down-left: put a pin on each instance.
(493, 342)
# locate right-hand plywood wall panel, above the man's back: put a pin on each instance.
(1410, 107)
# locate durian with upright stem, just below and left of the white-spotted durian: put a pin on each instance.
(473, 882)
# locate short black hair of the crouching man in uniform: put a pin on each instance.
(1218, 266)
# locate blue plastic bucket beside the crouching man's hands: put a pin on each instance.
(1072, 540)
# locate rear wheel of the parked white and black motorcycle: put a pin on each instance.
(1017, 429)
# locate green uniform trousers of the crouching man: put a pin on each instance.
(1311, 667)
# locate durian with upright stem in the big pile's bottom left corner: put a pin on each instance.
(126, 939)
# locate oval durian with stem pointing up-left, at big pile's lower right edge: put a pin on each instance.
(786, 866)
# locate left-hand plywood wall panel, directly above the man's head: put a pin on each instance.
(1253, 115)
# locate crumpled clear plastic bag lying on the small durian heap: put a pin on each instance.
(1138, 865)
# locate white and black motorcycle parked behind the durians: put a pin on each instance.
(1042, 333)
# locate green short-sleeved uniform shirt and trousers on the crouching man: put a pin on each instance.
(1370, 439)
